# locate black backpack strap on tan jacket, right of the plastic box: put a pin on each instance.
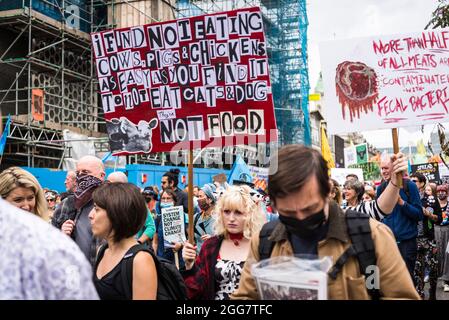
(359, 231)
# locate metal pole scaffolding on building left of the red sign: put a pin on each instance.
(45, 45)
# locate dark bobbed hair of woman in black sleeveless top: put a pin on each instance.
(125, 207)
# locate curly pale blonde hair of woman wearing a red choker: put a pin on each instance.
(239, 198)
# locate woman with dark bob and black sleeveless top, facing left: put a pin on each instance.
(119, 212)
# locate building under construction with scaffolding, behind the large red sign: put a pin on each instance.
(48, 83)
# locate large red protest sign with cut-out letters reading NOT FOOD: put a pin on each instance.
(201, 80)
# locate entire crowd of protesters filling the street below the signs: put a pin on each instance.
(112, 233)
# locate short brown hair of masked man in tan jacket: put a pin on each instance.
(295, 165)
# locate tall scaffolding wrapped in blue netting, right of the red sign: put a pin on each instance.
(285, 23)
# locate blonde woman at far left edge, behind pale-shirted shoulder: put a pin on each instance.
(21, 189)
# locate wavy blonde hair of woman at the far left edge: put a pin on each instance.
(16, 177)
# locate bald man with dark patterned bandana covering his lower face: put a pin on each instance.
(89, 176)
